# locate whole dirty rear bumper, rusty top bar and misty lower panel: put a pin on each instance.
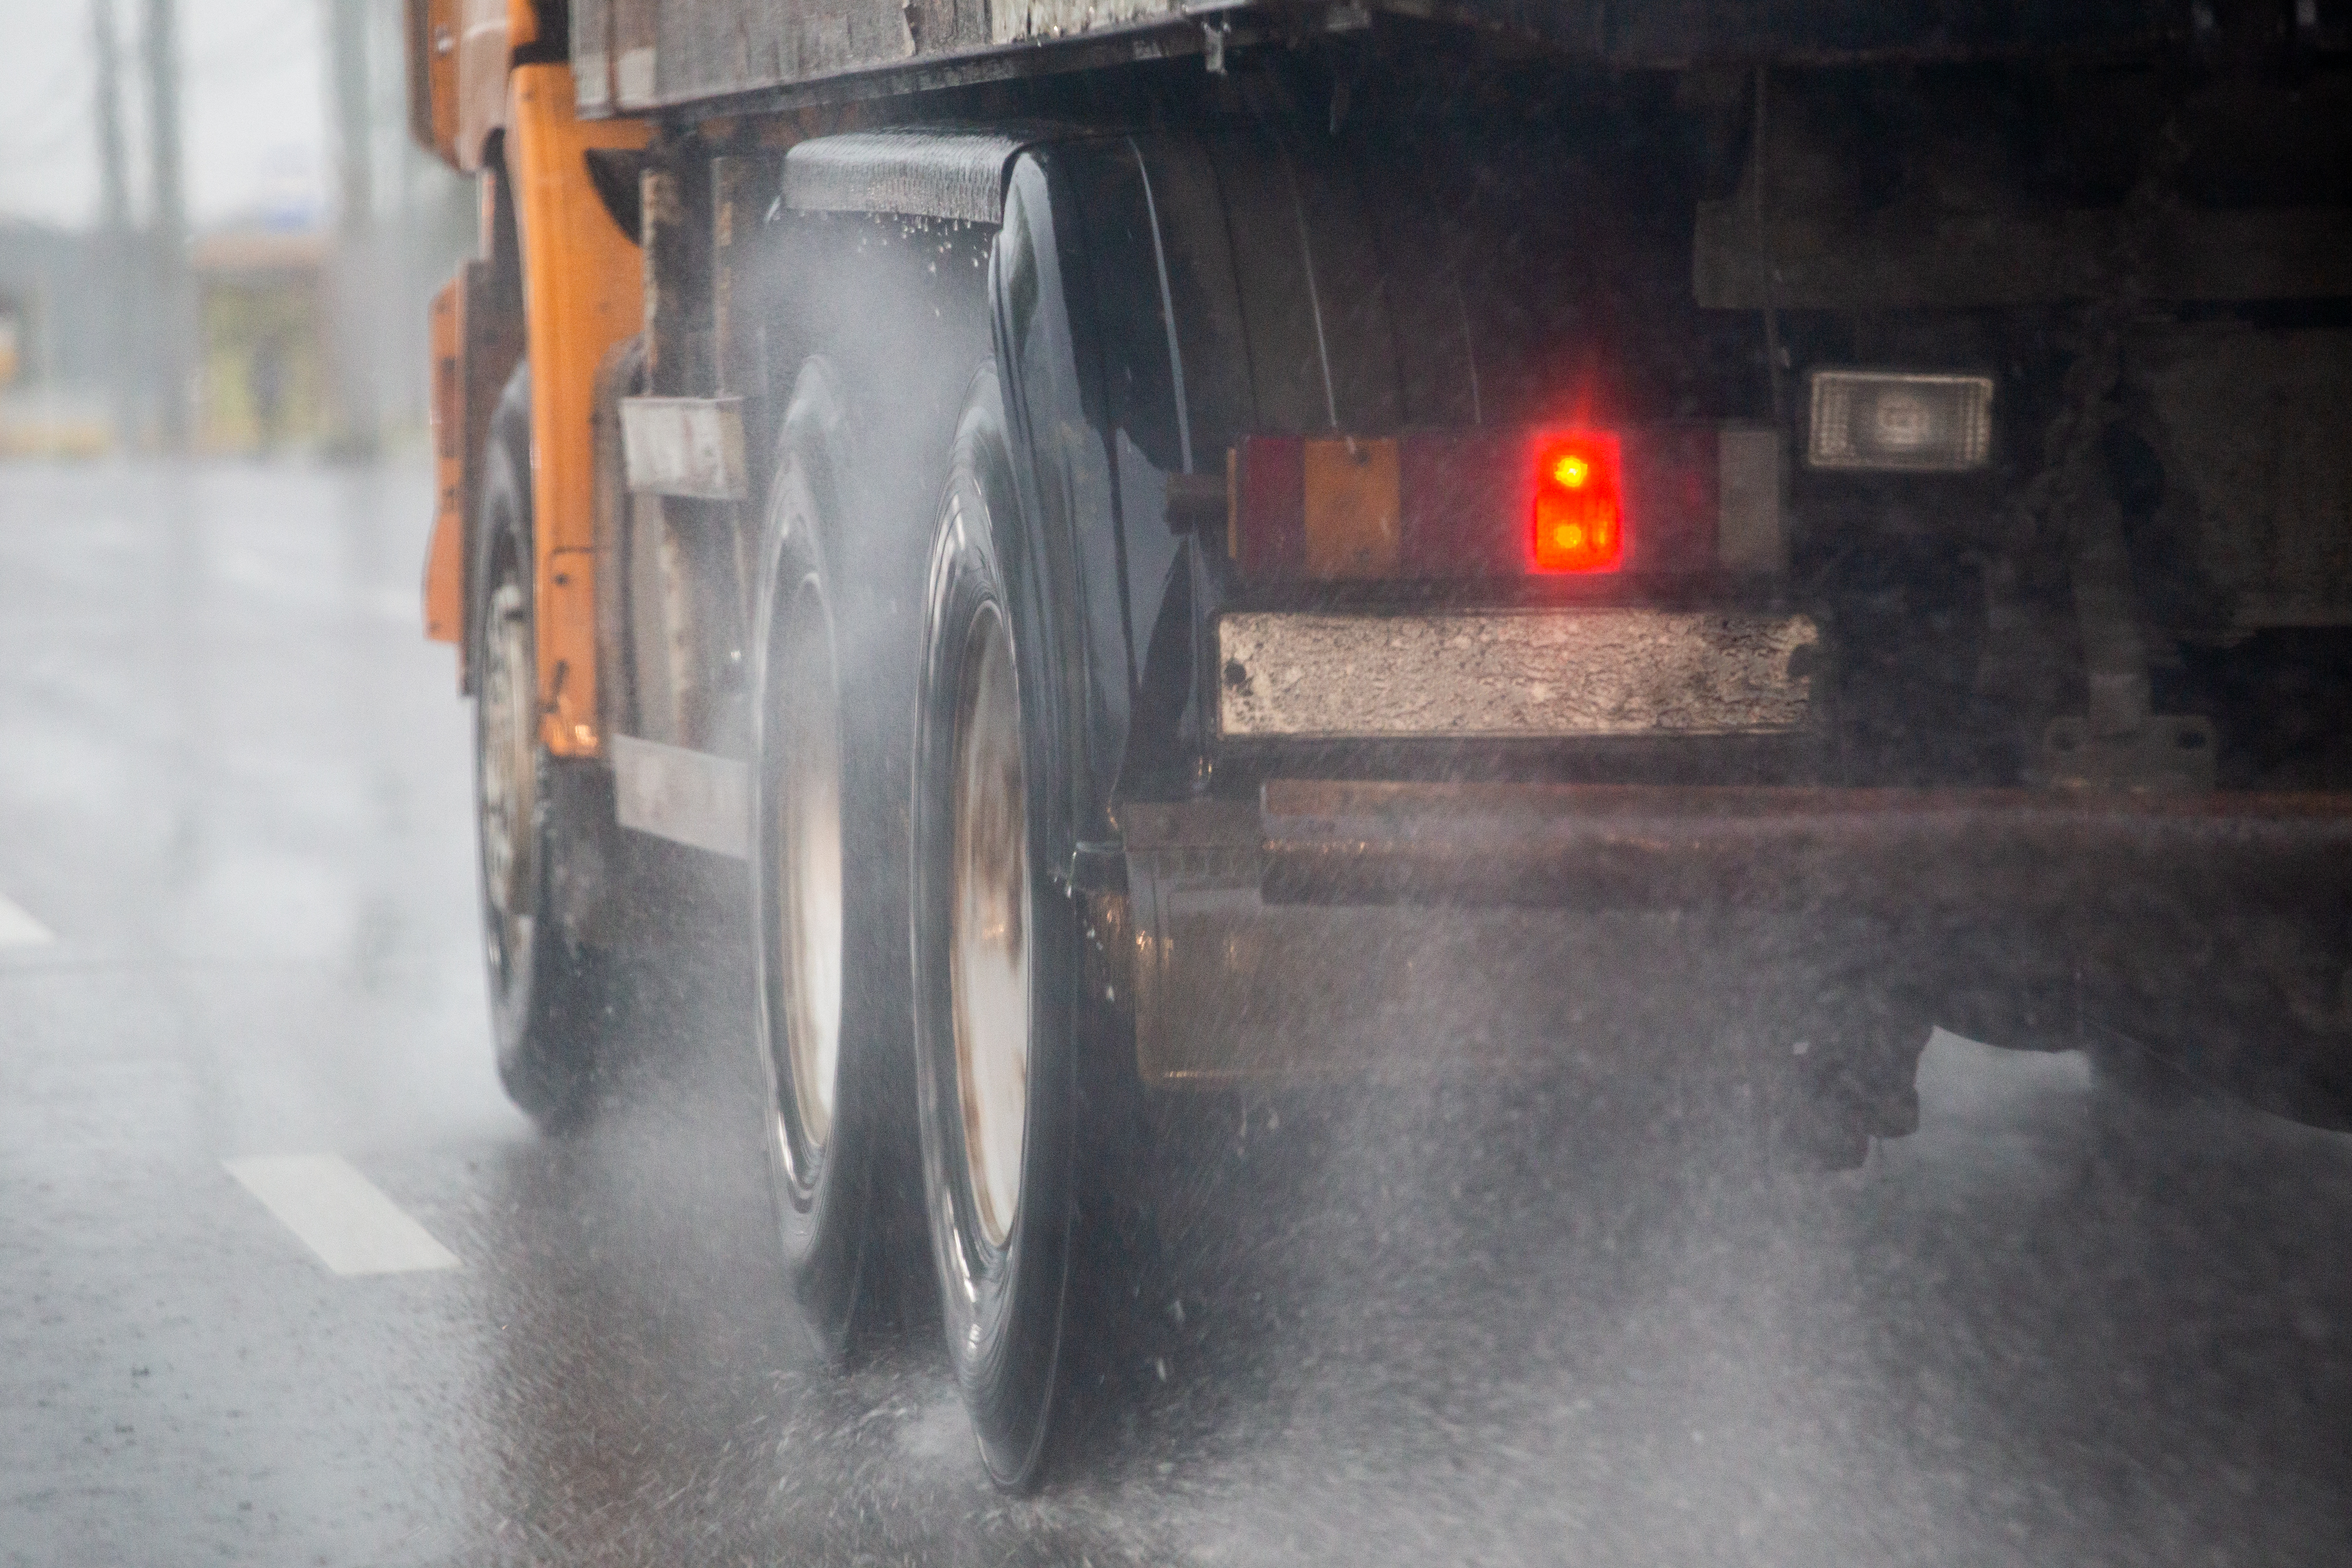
(1363, 927)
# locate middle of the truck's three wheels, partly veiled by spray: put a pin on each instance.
(829, 890)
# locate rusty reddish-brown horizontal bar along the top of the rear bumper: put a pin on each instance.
(1772, 847)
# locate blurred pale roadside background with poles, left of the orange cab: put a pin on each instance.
(215, 234)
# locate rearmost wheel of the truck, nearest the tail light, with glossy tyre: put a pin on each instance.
(996, 970)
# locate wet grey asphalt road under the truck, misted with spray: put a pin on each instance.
(1452, 1325)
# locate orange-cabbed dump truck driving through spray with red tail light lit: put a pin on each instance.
(1151, 544)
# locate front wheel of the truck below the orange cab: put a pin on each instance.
(549, 998)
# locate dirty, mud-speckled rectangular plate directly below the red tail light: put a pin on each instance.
(1514, 676)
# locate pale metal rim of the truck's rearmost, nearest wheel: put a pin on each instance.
(989, 927)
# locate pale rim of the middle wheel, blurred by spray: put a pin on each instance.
(810, 838)
